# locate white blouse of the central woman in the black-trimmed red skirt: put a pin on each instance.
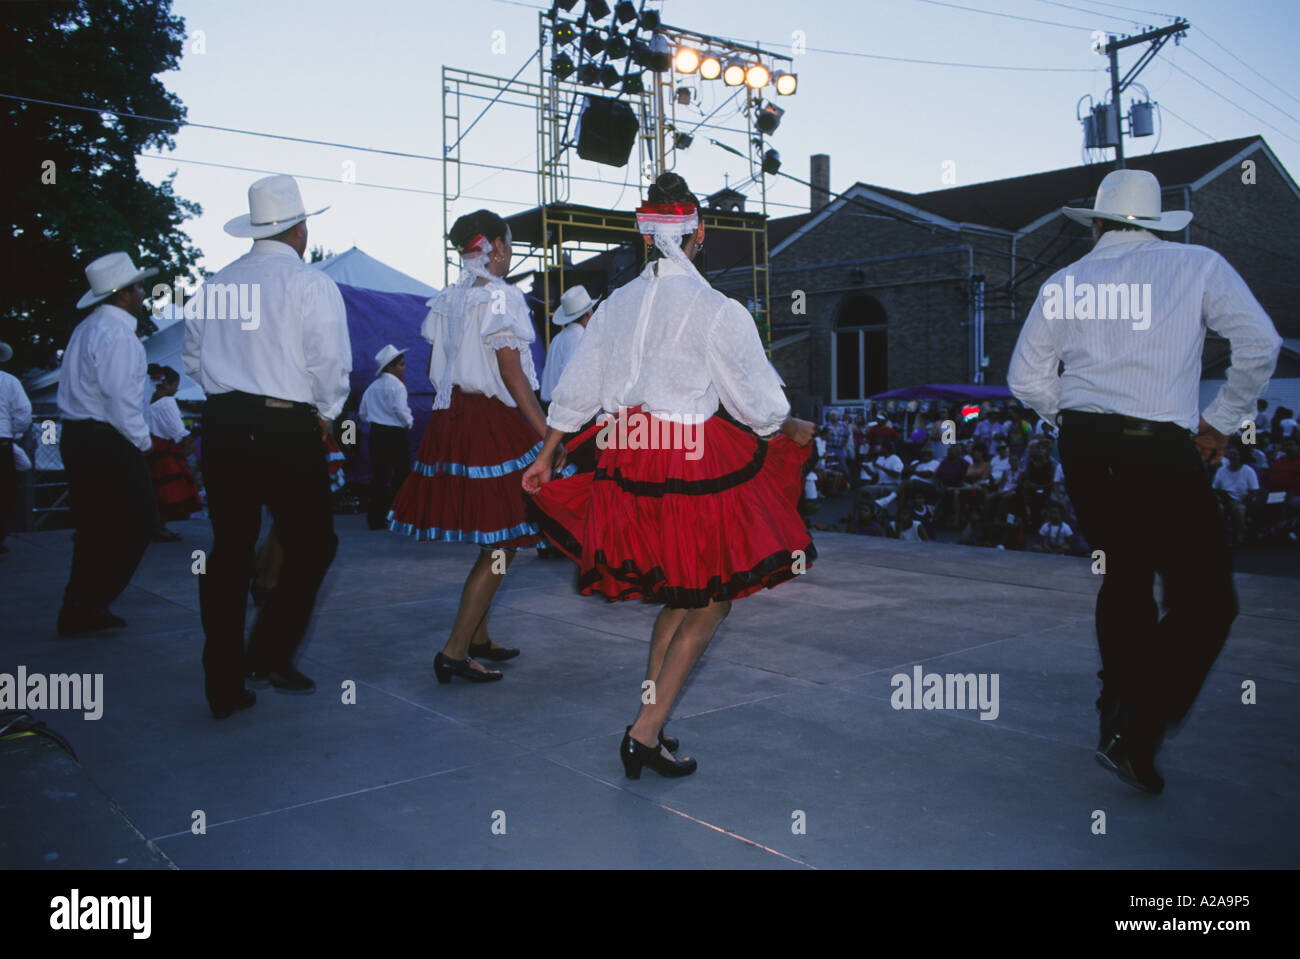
(674, 346)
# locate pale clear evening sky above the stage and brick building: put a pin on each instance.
(370, 75)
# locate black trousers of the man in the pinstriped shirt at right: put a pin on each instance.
(1143, 498)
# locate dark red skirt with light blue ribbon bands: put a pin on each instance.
(466, 485)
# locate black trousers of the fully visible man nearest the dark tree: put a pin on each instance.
(112, 509)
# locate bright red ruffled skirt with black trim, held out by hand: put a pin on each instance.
(655, 524)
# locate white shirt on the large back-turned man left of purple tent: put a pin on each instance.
(271, 326)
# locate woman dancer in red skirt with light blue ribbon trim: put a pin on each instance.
(487, 428)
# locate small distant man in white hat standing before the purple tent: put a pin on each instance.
(385, 407)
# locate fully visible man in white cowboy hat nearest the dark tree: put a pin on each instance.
(103, 445)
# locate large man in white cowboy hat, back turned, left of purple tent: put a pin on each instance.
(275, 371)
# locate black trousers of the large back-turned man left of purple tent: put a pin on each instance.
(257, 455)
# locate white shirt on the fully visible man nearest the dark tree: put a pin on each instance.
(102, 372)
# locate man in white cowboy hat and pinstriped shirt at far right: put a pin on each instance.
(1129, 324)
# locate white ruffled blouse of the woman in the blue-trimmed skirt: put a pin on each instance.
(496, 318)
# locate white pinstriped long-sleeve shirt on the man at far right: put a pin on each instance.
(1145, 358)
